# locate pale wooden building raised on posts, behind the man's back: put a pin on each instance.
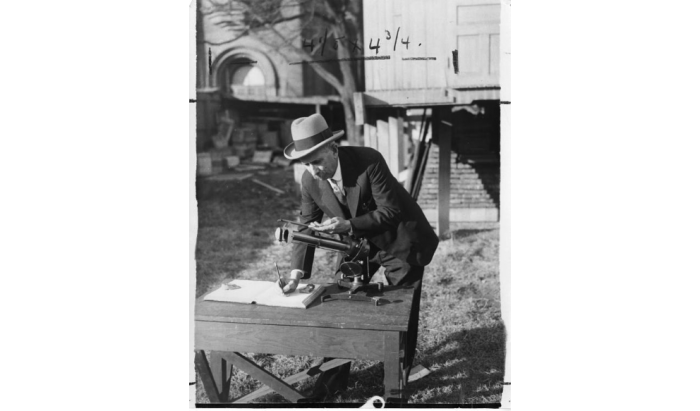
(436, 93)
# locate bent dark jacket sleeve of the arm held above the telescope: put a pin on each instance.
(387, 216)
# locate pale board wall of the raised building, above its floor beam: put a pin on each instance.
(434, 28)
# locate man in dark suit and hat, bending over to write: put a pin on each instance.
(355, 189)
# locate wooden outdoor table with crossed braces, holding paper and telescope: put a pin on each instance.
(341, 329)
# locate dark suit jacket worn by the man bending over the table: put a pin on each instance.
(381, 210)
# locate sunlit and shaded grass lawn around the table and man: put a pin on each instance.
(461, 336)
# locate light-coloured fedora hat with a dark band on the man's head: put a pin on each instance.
(310, 134)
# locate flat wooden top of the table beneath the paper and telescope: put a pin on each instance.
(391, 315)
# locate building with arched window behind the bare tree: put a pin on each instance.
(253, 80)
